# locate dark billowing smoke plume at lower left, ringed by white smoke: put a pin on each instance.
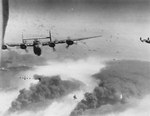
(41, 94)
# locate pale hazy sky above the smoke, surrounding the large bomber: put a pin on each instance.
(121, 22)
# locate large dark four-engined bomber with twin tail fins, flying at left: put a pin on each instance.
(37, 44)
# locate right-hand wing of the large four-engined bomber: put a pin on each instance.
(77, 39)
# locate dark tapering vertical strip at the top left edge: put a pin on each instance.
(5, 12)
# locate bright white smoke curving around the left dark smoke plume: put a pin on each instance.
(81, 70)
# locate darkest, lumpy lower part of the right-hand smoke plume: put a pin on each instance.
(101, 95)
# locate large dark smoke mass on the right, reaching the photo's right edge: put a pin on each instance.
(119, 81)
